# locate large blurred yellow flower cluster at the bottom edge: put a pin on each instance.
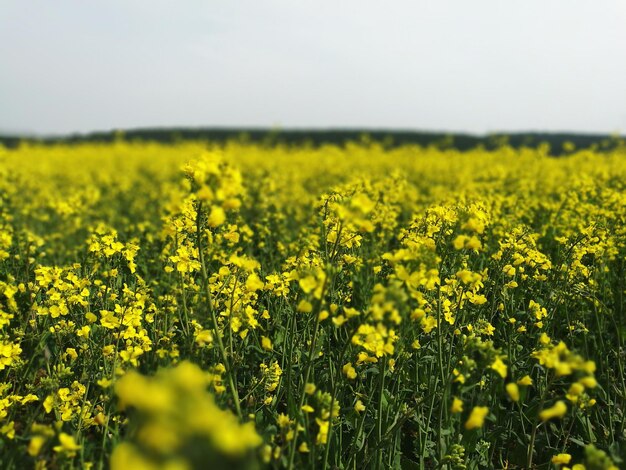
(174, 422)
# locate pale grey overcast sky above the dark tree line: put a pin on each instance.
(476, 66)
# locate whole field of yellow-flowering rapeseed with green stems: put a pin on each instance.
(192, 307)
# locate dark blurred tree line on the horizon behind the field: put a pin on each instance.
(559, 143)
